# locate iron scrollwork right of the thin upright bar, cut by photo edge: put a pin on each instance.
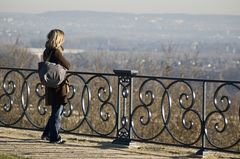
(222, 123)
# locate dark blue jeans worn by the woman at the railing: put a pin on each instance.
(54, 123)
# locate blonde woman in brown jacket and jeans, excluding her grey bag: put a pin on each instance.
(56, 97)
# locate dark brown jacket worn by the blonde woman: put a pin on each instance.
(56, 96)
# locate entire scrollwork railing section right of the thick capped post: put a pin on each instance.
(184, 112)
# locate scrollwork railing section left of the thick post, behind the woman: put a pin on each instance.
(90, 104)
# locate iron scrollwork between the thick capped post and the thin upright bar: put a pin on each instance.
(175, 112)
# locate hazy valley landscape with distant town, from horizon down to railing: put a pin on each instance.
(208, 44)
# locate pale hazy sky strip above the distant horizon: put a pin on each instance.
(132, 6)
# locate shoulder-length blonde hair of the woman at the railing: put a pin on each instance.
(55, 38)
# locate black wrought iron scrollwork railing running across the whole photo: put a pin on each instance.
(198, 113)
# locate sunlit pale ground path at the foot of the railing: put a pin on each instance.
(26, 143)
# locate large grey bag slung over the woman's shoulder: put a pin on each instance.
(51, 74)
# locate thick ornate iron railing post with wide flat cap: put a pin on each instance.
(124, 105)
